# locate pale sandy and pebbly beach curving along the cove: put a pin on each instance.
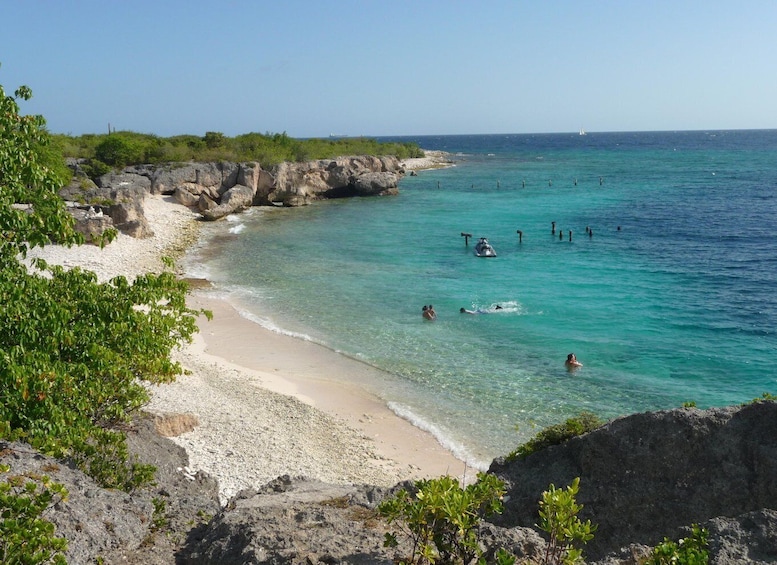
(266, 404)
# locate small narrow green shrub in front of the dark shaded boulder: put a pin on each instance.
(558, 517)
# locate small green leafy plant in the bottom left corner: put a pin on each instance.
(25, 537)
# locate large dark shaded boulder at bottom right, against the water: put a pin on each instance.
(647, 476)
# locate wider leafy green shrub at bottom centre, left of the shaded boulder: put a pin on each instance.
(441, 519)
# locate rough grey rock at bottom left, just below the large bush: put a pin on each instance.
(115, 526)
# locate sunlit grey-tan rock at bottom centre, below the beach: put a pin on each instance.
(302, 521)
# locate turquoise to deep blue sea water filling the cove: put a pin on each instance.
(671, 299)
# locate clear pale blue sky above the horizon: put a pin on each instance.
(369, 67)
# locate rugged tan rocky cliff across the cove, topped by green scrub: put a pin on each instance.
(219, 189)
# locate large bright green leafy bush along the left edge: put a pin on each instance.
(73, 352)
